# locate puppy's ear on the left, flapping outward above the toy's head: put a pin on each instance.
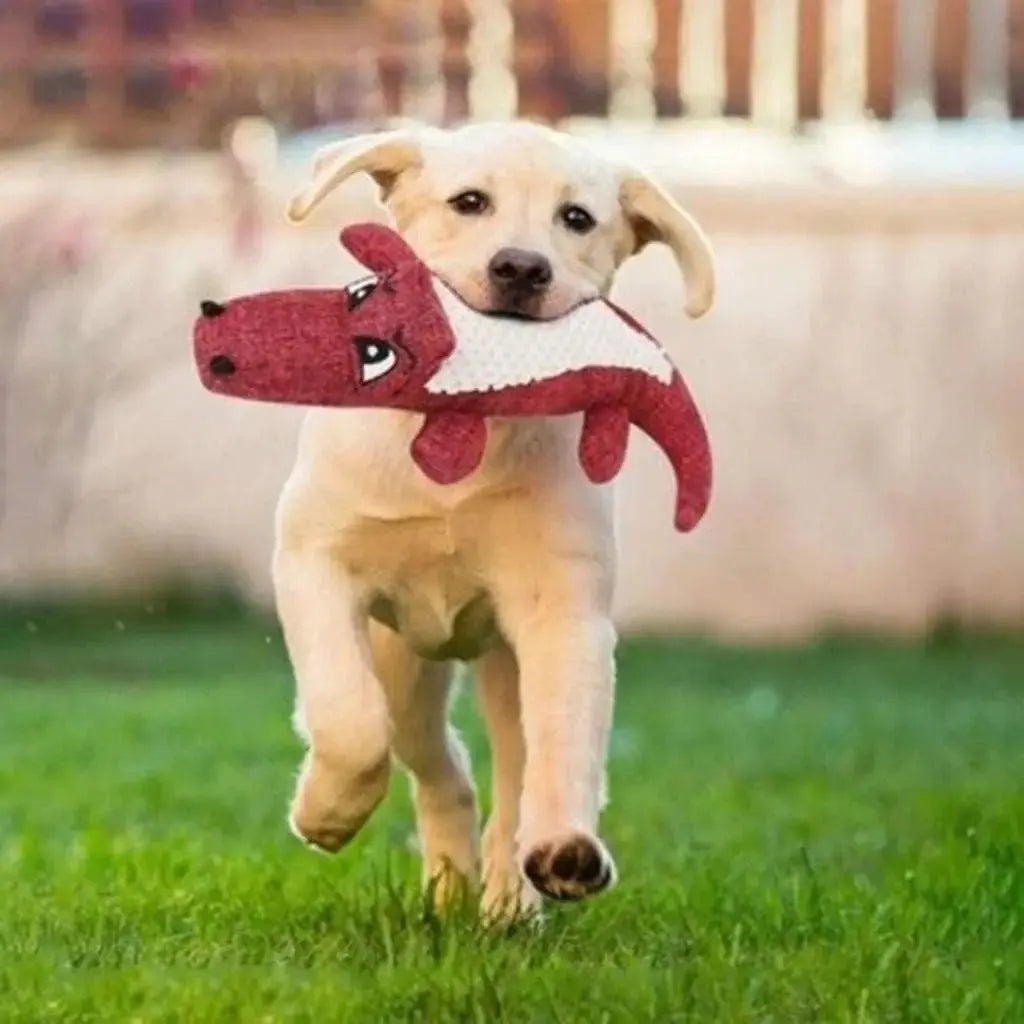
(383, 156)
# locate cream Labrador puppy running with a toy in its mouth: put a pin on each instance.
(383, 579)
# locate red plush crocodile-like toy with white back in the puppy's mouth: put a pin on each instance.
(401, 338)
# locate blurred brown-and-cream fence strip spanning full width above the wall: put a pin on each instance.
(178, 71)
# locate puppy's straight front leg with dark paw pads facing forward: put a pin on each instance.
(560, 624)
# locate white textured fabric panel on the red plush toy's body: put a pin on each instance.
(493, 353)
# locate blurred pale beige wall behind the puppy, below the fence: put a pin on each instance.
(863, 377)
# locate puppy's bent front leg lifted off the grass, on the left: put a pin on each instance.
(342, 708)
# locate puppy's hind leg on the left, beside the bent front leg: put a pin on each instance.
(437, 761)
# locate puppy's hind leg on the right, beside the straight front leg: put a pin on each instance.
(506, 895)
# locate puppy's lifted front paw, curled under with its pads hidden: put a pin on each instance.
(331, 804)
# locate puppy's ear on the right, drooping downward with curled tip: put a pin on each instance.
(656, 217)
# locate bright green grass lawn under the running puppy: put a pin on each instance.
(834, 833)
